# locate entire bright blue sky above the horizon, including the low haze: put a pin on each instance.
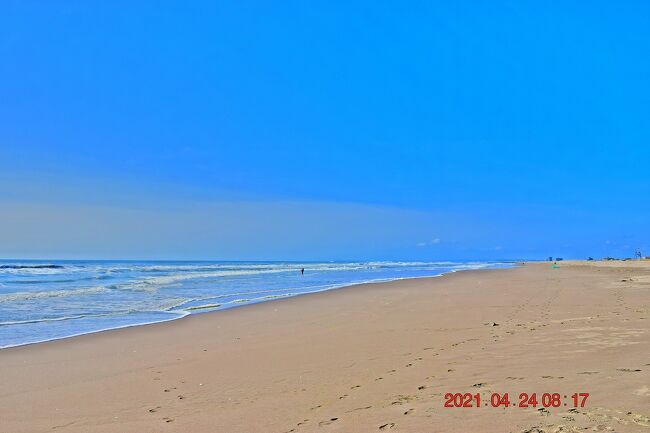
(324, 130)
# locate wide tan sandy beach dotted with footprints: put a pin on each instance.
(368, 358)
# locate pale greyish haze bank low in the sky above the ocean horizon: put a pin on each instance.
(242, 230)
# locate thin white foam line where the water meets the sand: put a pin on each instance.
(183, 314)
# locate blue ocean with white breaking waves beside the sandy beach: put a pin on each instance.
(47, 300)
